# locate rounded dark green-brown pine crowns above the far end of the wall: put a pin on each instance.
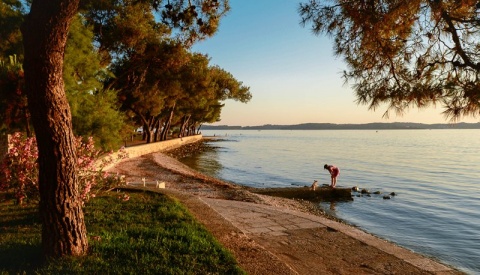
(168, 84)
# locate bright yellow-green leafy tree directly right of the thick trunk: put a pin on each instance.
(94, 110)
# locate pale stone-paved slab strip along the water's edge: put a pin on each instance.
(256, 220)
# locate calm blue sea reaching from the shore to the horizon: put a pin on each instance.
(435, 174)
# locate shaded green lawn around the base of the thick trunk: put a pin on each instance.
(148, 234)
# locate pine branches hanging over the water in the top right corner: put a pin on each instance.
(405, 53)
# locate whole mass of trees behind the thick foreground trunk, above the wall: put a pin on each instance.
(124, 68)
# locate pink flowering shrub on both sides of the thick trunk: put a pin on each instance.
(20, 169)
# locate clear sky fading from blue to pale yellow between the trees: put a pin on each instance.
(292, 74)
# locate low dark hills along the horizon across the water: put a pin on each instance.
(331, 126)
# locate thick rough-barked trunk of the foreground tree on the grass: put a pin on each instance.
(44, 34)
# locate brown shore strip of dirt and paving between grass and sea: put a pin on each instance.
(310, 250)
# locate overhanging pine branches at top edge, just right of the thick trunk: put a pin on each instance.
(122, 26)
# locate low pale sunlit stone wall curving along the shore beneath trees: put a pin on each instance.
(161, 146)
